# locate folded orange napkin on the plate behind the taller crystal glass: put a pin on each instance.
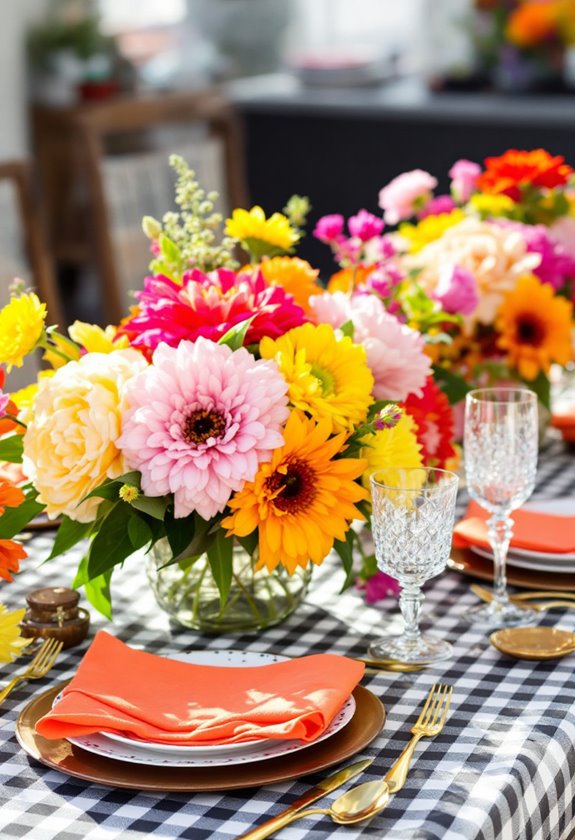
(532, 530)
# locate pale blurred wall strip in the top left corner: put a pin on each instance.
(17, 15)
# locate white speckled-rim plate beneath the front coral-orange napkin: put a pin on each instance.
(140, 752)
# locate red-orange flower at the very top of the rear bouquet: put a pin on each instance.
(508, 173)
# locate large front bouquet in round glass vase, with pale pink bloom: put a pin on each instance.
(235, 410)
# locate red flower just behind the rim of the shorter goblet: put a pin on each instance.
(434, 421)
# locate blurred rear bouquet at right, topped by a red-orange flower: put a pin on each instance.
(496, 254)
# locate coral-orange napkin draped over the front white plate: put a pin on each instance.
(117, 689)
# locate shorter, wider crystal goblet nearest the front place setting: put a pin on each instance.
(412, 522)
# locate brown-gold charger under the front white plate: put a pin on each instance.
(364, 726)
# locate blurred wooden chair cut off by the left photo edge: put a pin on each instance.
(29, 247)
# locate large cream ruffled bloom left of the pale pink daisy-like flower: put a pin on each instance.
(69, 447)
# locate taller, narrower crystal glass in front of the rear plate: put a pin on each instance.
(500, 451)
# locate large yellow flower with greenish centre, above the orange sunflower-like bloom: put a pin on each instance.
(327, 375)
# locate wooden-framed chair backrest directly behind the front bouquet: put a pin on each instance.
(126, 144)
